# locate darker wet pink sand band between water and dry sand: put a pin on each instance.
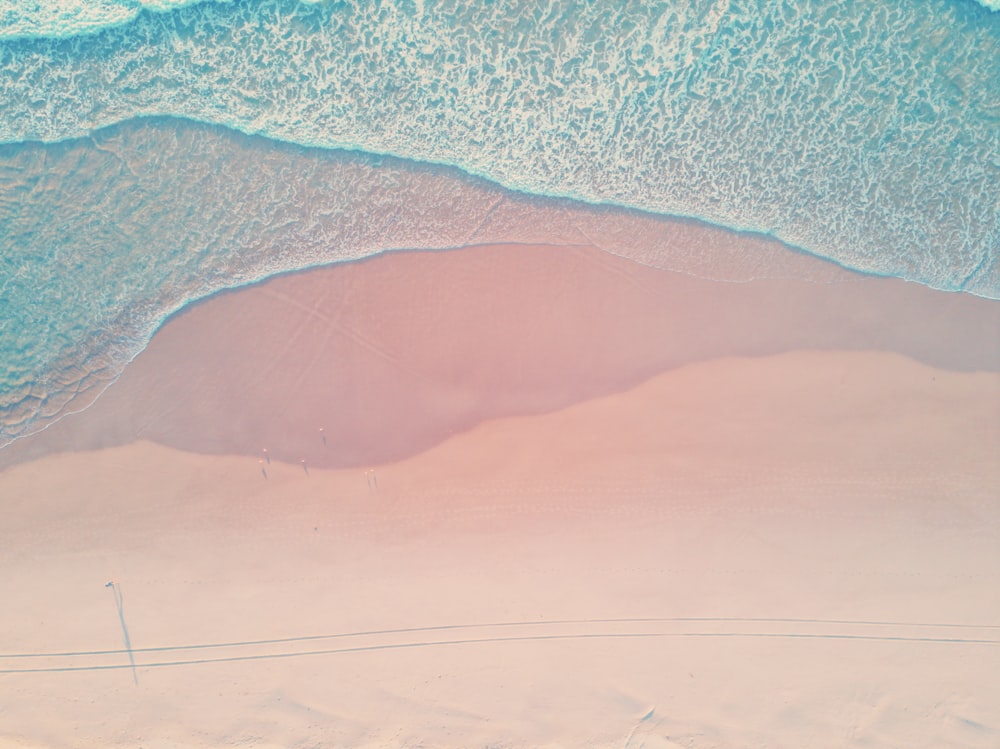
(402, 337)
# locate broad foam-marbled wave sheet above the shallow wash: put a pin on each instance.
(866, 137)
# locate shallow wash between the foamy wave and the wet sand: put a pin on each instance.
(49, 308)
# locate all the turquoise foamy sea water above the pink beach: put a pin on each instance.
(864, 132)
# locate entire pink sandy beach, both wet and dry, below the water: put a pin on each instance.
(715, 531)
